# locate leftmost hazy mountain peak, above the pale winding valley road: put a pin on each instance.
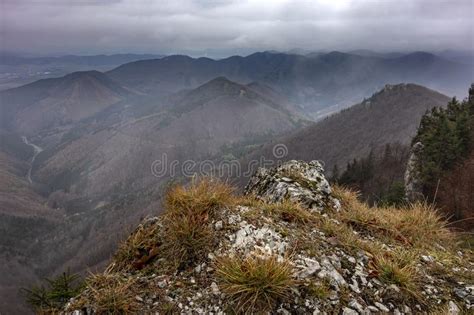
(61, 101)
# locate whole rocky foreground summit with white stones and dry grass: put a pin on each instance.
(291, 245)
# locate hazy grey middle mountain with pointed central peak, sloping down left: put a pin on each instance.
(220, 112)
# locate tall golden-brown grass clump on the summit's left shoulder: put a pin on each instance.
(183, 234)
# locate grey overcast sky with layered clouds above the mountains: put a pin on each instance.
(233, 26)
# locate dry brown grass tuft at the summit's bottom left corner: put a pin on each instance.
(110, 293)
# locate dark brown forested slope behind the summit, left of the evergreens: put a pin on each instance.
(391, 115)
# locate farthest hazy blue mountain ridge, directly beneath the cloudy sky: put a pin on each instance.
(314, 83)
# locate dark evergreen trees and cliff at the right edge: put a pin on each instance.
(440, 168)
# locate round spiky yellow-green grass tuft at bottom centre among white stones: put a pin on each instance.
(255, 285)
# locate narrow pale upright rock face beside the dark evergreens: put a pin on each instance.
(413, 185)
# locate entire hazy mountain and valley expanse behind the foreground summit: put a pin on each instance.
(89, 140)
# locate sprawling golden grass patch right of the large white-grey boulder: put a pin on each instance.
(410, 230)
